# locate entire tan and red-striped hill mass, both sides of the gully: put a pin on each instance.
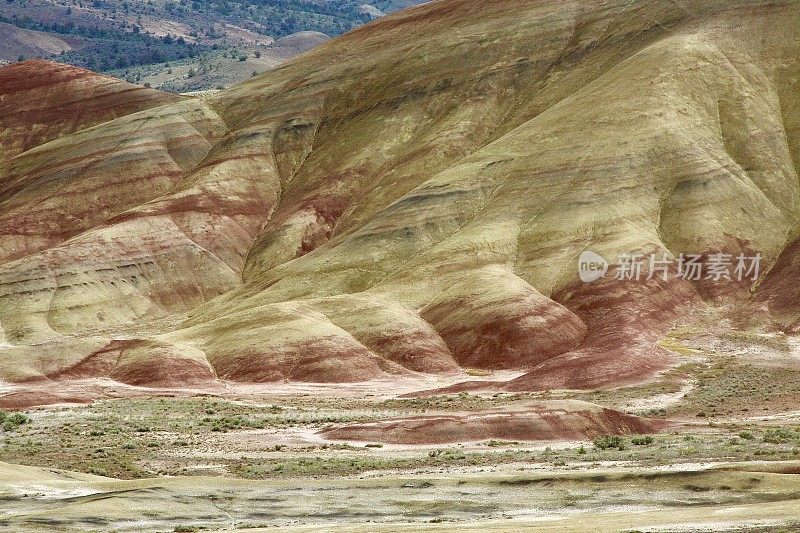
(414, 195)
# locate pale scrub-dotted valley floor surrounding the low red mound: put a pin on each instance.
(244, 457)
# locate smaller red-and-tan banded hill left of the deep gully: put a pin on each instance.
(108, 228)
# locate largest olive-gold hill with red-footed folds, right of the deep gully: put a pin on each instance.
(464, 189)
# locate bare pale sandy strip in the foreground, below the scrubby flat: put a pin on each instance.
(603, 500)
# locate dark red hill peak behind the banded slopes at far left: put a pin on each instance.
(41, 100)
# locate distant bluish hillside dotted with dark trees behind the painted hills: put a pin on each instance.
(105, 35)
